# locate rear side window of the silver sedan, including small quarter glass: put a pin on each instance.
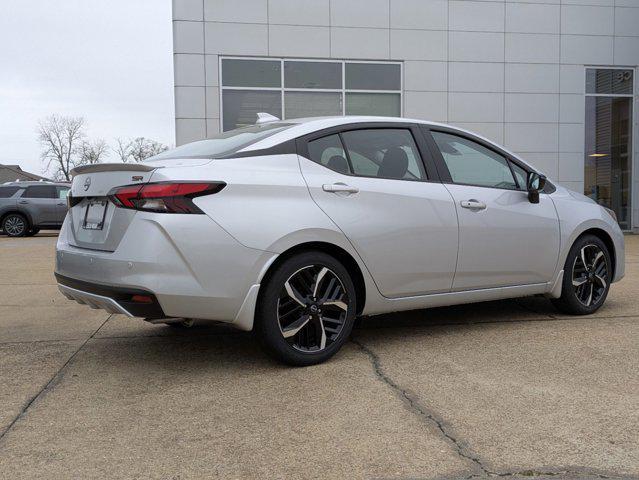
(389, 153)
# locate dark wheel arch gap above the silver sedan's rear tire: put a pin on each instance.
(335, 251)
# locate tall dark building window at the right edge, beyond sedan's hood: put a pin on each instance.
(608, 148)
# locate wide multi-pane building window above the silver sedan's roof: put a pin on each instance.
(307, 88)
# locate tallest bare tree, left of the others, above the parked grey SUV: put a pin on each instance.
(60, 138)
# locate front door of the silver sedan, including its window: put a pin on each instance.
(504, 240)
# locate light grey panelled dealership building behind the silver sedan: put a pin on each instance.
(552, 80)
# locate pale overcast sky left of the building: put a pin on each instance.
(109, 61)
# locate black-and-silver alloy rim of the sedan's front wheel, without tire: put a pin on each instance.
(590, 275)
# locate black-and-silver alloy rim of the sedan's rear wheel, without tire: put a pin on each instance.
(312, 308)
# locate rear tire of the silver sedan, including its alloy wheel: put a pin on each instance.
(306, 309)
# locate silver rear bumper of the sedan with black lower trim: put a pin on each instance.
(187, 264)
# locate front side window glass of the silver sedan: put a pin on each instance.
(470, 163)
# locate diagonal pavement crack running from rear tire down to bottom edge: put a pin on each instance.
(421, 410)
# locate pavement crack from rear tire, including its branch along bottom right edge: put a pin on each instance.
(464, 451)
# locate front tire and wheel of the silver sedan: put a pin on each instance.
(587, 277)
